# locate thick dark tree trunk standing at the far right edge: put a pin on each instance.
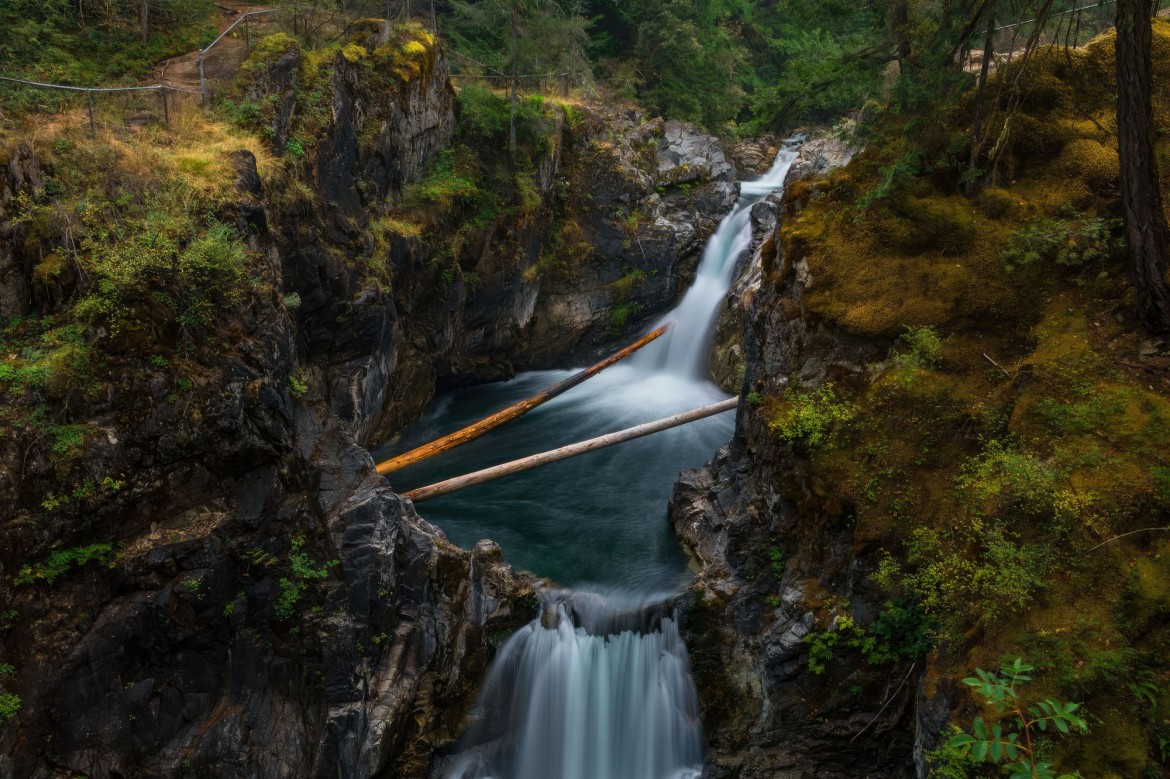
(1147, 233)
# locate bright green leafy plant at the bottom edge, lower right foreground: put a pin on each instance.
(1011, 743)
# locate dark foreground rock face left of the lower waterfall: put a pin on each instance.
(273, 609)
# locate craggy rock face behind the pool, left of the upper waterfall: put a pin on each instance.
(630, 202)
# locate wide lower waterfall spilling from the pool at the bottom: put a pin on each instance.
(572, 700)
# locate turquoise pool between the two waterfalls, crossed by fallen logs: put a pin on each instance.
(596, 520)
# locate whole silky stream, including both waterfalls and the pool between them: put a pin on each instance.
(598, 687)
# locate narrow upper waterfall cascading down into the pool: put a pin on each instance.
(684, 350)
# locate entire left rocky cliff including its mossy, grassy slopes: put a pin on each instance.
(203, 575)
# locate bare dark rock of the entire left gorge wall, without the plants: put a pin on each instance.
(256, 601)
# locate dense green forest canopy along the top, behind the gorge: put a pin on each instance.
(742, 66)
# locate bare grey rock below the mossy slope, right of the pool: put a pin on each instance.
(779, 560)
